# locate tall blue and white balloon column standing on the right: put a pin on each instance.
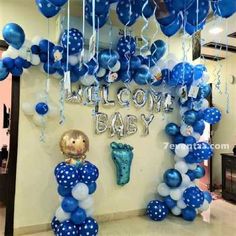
(179, 192)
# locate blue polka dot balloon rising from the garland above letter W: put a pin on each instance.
(76, 41)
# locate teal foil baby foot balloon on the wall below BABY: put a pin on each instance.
(122, 155)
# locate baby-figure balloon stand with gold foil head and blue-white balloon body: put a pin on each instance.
(76, 180)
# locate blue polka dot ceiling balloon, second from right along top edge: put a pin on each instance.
(197, 16)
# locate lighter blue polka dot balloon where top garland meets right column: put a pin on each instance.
(183, 73)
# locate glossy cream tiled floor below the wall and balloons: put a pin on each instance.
(218, 221)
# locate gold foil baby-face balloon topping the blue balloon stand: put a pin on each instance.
(74, 144)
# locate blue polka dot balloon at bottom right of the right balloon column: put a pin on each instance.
(193, 197)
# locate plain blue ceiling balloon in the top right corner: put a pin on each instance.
(224, 8)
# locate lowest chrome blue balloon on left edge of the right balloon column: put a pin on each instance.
(172, 178)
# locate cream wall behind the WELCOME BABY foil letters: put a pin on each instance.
(36, 196)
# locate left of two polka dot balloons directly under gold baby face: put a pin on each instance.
(67, 176)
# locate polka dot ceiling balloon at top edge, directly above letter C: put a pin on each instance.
(126, 13)
